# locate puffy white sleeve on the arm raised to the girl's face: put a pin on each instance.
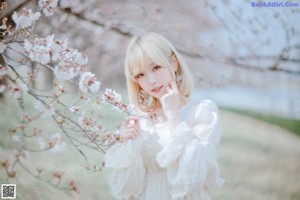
(190, 157)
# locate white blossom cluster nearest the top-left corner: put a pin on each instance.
(25, 18)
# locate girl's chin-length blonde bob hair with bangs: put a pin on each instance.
(159, 50)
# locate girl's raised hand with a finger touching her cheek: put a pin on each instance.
(171, 101)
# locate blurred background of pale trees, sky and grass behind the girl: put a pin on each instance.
(245, 58)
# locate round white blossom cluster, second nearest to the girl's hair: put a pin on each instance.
(88, 81)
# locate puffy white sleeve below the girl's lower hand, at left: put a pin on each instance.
(127, 180)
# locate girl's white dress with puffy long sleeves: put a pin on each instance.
(159, 165)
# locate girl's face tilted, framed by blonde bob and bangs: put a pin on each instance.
(154, 79)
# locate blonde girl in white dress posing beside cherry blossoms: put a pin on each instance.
(170, 148)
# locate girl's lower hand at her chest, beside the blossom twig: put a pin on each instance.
(131, 128)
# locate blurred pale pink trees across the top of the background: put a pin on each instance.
(219, 38)
